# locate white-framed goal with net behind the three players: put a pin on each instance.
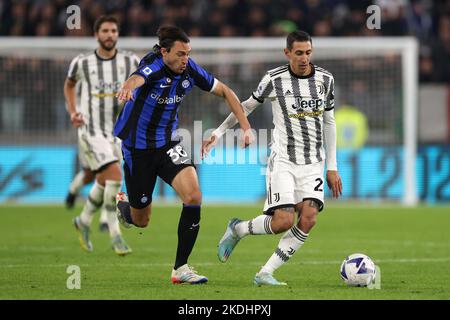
(375, 78)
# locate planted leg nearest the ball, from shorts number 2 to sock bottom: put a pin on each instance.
(311, 203)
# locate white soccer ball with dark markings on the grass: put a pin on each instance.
(358, 270)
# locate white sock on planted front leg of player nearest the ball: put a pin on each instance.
(291, 241)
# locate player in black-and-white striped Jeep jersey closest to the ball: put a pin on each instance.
(302, 97)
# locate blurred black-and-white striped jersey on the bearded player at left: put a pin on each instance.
(100, 80)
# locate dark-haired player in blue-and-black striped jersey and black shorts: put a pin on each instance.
(147, 126)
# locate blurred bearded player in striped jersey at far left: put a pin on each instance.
(101, 74)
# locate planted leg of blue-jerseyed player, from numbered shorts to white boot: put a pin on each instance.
(177, 170)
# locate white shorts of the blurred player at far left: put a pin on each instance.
(99, 151)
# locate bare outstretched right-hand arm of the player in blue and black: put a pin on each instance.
(222, 90)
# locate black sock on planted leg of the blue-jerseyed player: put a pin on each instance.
(187, 233)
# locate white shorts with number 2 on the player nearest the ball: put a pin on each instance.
(288, 183)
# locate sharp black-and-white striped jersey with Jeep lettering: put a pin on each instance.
(298, 106)
